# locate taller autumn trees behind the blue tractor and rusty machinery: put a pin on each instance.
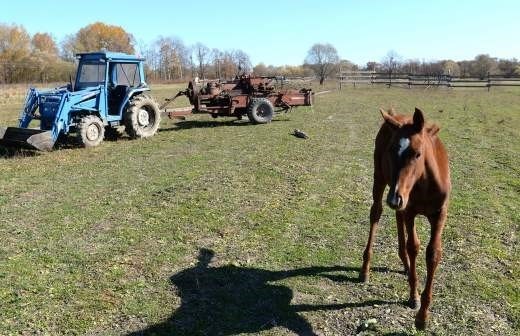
(39, 58)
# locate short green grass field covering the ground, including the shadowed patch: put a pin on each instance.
(116, 239)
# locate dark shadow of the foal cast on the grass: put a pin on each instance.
(230, 300)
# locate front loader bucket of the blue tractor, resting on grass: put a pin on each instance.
(26, 138)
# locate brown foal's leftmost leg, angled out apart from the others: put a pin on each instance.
(375, 214)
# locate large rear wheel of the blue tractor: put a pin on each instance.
(142, 117)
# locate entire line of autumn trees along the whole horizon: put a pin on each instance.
(39, 58)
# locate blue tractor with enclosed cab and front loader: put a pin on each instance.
(109, 92)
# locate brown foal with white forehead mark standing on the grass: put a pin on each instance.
(412, 161)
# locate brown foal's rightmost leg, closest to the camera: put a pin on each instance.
(433, 257)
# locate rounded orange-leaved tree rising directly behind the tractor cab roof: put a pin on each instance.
(100, 36)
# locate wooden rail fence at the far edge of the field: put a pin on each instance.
(411, 80)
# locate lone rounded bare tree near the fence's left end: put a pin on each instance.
(323, 59)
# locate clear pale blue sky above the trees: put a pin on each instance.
(281, 32)
